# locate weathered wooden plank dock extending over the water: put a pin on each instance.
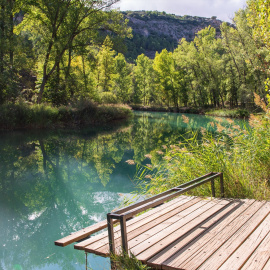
(188, 233)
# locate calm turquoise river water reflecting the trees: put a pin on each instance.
(53, 183)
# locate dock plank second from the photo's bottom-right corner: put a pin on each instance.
(260, 257)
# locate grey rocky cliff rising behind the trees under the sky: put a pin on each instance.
(154, 31)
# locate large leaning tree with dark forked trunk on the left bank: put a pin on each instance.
(56, 25)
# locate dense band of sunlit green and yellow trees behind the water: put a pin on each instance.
(72, 49)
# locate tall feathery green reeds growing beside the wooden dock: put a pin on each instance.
(243, 155)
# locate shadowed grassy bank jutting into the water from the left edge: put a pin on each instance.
(33, 116)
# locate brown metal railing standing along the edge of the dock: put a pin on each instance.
(128, 212)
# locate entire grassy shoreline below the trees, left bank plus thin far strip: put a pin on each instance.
(84, 113)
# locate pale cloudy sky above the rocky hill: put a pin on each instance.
(223, 9)
